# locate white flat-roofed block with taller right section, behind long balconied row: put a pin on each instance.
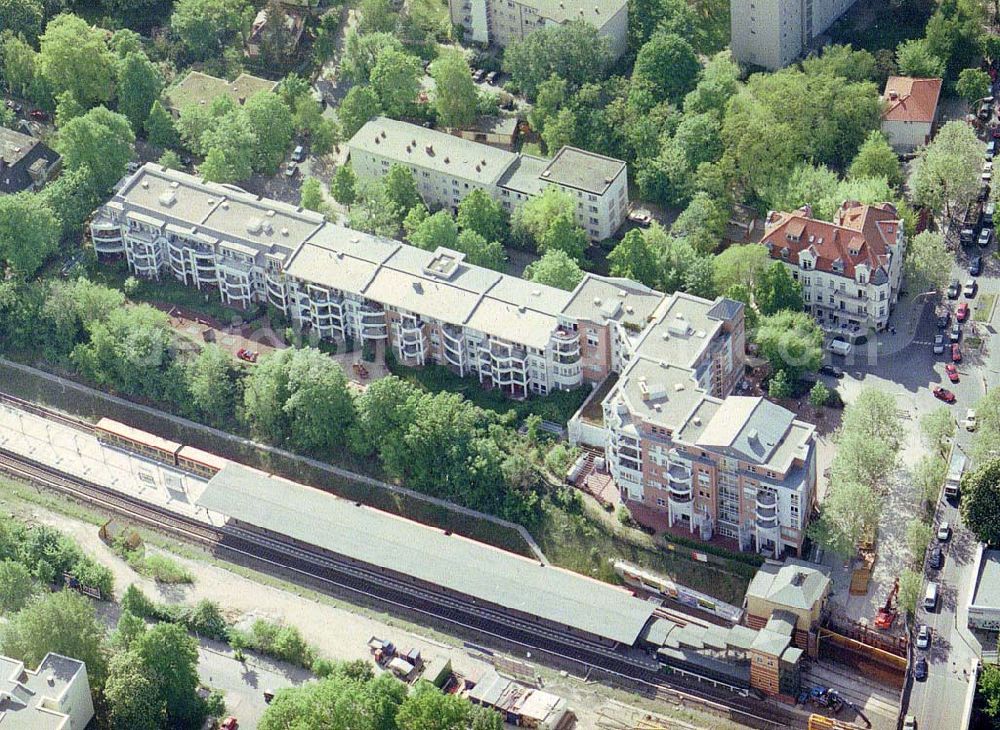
(447, 168)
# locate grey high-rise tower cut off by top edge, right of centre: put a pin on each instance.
(773, 33)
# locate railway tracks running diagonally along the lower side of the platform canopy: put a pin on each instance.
(334, 572)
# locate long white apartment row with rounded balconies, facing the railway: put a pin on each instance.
(427, 306)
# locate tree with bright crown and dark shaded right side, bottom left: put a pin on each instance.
(169, 657)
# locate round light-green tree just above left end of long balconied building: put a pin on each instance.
(101, 141)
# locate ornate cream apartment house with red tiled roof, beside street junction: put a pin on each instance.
(850, 270)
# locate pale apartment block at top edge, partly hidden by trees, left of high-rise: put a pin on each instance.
(501, 22)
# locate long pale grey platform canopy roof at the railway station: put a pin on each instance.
(452, 562)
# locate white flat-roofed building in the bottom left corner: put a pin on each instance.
(56, 696)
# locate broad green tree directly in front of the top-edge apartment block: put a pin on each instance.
(573, 51)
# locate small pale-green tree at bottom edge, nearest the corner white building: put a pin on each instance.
(133, 696)
